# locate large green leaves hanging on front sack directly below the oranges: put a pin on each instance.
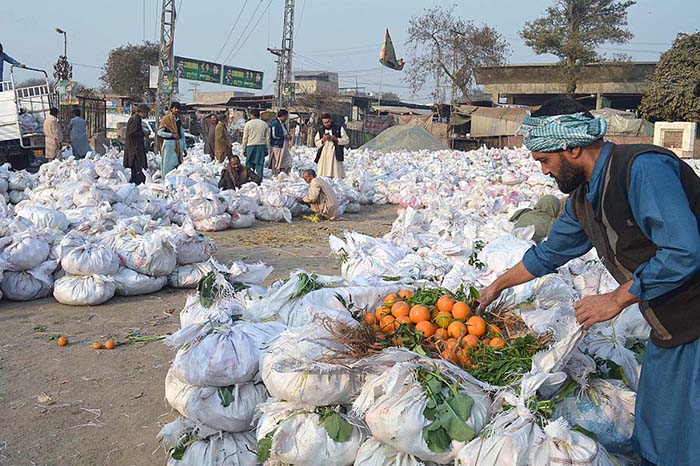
(447, 409)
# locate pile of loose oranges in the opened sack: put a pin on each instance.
(447, 326)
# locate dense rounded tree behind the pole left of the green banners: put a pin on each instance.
(126, 70)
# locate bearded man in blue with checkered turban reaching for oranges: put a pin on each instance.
(639, 206)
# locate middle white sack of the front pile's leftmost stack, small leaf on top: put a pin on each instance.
(205, 405)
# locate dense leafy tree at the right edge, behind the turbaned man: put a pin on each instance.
(674, 88)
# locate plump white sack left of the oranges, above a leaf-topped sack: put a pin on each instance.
(292, 370)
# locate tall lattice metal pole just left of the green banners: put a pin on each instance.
(165, 59)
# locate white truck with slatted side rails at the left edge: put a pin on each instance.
(22, 114)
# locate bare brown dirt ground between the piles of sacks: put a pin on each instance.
(77, 406)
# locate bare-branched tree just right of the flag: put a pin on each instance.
(445, 49)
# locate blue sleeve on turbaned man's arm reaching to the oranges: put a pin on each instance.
(566, 241)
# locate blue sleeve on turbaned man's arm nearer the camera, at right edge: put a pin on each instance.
(661, 209)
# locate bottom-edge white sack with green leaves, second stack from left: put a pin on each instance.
(300, 437)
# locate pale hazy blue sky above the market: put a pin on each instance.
(343, 36)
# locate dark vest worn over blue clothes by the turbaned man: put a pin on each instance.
(622, 246)
